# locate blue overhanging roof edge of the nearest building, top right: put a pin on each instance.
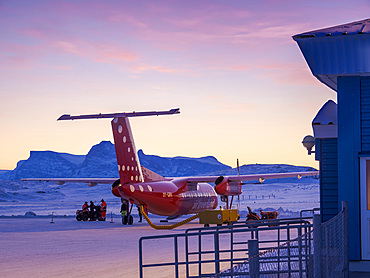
(342, 50)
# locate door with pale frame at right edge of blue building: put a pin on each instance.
(365, 207)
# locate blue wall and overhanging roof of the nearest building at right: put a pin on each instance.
(339, 57)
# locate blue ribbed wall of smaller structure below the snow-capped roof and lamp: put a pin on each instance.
(326, 151)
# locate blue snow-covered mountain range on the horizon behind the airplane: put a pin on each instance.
(101, 162)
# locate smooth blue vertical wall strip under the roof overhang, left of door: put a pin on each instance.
(349, 148)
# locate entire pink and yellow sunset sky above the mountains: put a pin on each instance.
(242, 85)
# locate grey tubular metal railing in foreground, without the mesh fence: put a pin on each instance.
(205, 252)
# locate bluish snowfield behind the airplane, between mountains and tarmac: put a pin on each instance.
(43, 198)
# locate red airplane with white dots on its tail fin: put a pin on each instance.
(170, 197)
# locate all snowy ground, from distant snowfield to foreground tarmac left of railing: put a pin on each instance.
(34, 247)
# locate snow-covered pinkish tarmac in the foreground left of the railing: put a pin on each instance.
(34, 247)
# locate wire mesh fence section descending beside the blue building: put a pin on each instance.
(325, 256)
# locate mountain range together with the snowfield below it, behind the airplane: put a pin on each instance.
(18, 197)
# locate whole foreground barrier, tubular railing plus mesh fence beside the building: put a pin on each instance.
(272, 248)
